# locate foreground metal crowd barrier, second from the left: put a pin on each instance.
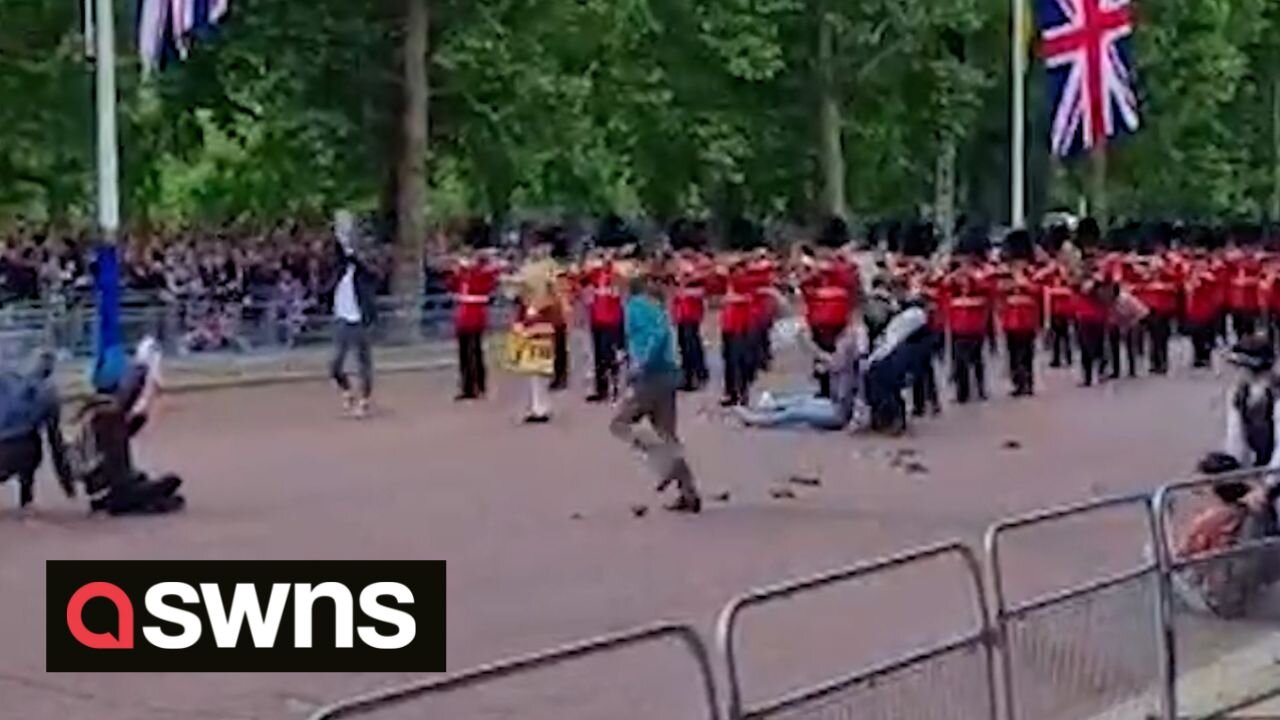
(906, 687)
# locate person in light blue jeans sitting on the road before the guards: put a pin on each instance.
(845, 368)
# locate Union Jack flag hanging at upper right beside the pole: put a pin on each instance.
(1086, 49)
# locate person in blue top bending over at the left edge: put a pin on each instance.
(30, 407)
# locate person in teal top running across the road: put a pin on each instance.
(655, 379)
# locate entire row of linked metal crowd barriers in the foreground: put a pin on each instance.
(1121, 645)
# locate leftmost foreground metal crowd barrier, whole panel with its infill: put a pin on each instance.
(431, 699)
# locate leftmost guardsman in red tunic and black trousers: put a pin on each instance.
(472, 281)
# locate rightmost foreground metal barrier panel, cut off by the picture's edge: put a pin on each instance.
(1219, 605)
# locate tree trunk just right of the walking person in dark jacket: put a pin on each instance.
(409, 281)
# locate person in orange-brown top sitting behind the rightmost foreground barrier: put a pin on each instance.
(1226, 586)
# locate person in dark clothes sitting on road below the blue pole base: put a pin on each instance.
(102, 459)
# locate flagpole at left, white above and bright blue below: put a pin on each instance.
(109, 341)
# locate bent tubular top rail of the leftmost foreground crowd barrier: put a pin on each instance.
(410, 694)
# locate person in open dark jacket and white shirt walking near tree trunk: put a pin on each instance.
(354, 288)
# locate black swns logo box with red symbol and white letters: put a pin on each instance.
(245, 617)
